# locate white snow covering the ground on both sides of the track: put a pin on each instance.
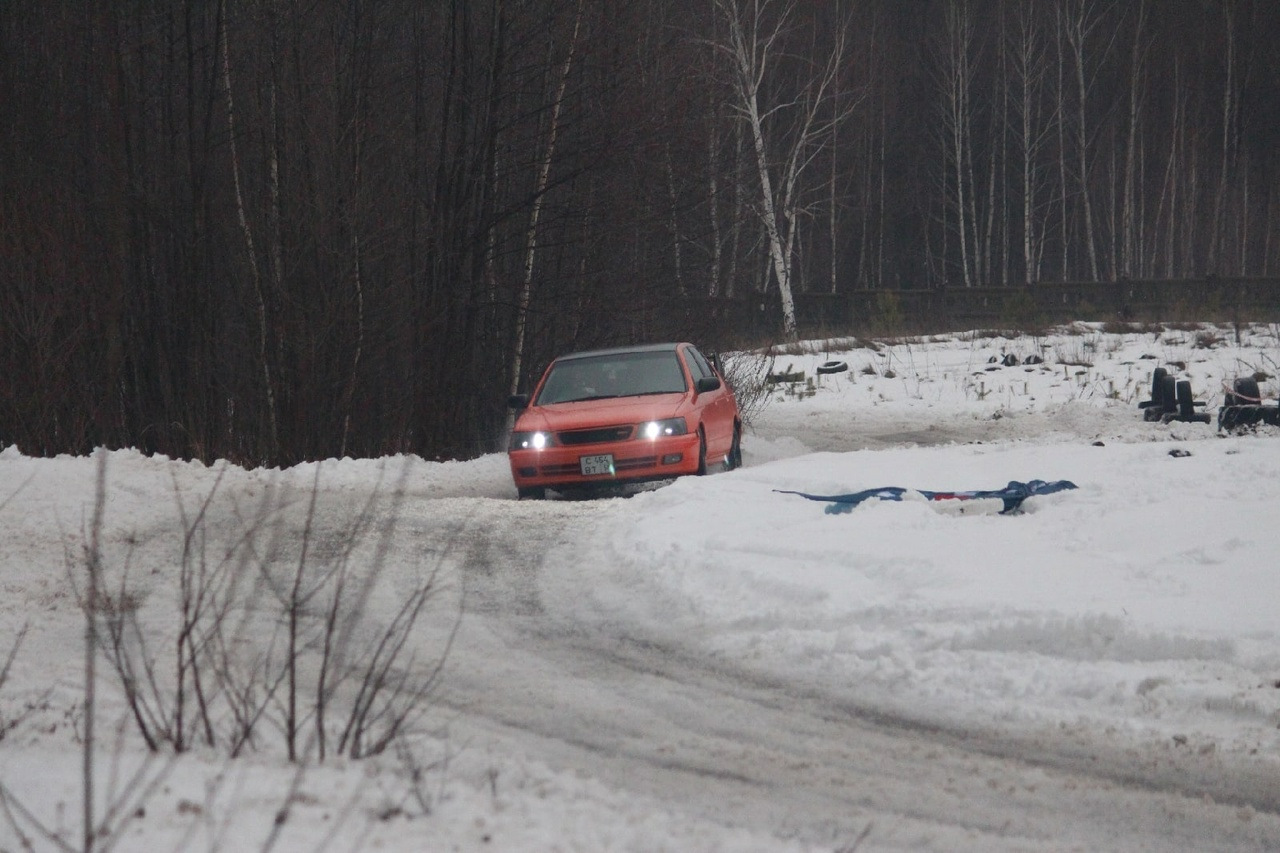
(1136, 610)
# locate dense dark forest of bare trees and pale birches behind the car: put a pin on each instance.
(275, 231)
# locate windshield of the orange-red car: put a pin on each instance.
(618, 375)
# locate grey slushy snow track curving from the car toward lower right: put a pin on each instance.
(726, 746)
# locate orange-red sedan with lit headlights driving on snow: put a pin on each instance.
(625, 416)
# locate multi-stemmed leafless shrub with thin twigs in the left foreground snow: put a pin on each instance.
(275, 632)
